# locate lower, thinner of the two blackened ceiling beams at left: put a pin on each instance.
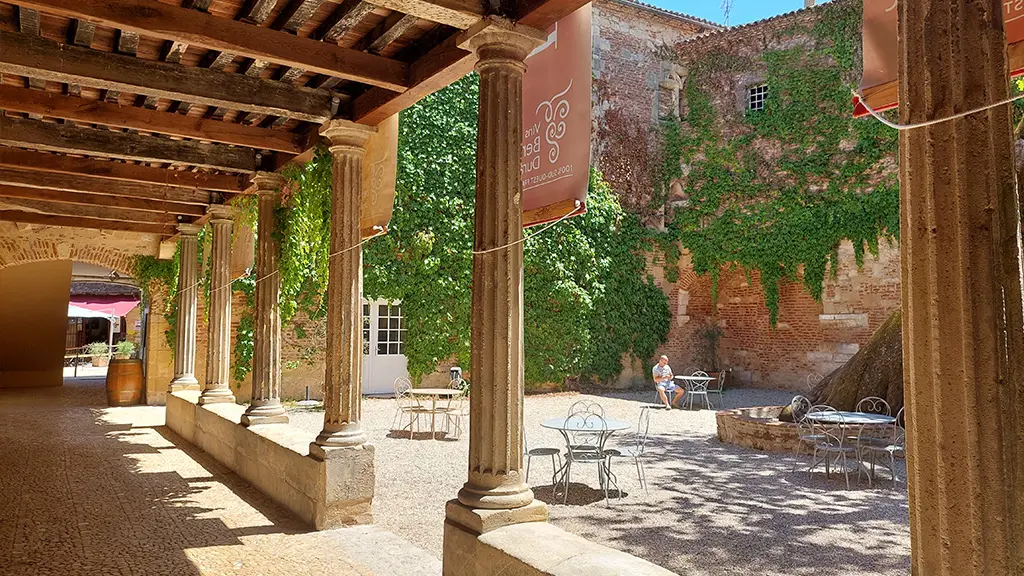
(57, 138)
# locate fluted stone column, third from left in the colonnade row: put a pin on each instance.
(266, 406)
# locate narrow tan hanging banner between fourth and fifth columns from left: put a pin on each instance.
(380, 177)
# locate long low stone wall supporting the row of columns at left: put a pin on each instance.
(275, 459)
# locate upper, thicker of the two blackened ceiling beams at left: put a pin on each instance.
(40, 58)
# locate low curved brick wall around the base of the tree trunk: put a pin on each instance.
(758, 428)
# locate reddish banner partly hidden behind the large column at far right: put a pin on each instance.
(881, 52)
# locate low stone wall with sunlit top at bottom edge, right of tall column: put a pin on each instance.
(536, 549)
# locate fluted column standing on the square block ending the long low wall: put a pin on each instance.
(344, 378)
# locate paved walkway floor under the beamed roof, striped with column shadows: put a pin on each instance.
(90, 490)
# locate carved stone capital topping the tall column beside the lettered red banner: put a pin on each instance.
(497, 40)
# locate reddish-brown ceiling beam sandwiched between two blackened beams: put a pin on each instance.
(93, 112)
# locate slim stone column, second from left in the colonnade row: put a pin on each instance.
(219, 346)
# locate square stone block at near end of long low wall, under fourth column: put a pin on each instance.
(349, 486)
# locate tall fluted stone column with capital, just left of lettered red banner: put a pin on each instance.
(495, 493)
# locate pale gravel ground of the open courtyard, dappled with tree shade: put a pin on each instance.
(713, 509)
